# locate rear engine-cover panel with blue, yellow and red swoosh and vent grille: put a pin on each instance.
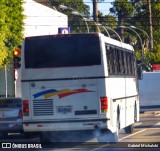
(64, 99)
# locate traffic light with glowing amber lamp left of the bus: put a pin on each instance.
(17, 58)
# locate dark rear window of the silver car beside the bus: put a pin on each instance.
(10, 103)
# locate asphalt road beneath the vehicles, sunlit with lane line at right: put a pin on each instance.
(145, 136)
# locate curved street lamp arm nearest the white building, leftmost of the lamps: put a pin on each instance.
(74, 12)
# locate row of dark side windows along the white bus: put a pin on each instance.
(120, 61)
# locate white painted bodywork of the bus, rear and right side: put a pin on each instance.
(69, 98)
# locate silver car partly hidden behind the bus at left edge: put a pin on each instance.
(10, 116)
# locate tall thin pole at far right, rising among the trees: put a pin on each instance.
(150, 24)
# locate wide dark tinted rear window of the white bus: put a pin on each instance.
(62, 51)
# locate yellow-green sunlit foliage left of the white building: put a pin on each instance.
(11, 27)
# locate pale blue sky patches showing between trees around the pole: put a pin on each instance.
(103, 6)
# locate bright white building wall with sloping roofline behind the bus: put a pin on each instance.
(42, 20)
